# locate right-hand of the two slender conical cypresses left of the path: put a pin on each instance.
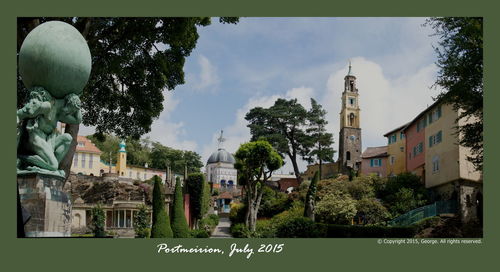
(179, 224)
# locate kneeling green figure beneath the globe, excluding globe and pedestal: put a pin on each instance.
(45, 147)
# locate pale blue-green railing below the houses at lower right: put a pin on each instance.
(434, 209)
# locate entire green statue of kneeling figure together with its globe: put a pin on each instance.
(54, 64)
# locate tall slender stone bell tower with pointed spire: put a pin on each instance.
(350, 130)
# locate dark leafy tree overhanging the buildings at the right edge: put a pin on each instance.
(460, 62)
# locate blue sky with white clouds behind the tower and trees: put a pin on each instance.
(237, 67)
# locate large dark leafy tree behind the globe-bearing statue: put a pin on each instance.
(134, 61)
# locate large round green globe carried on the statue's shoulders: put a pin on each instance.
(55, 56)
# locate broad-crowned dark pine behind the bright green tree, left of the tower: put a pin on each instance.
(282, 125)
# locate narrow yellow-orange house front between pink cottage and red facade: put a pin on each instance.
(396, 143)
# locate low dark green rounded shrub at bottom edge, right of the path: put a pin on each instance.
(300, 227)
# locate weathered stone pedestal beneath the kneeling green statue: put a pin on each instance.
(49, 206)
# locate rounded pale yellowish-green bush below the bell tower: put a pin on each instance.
(336, 208)
